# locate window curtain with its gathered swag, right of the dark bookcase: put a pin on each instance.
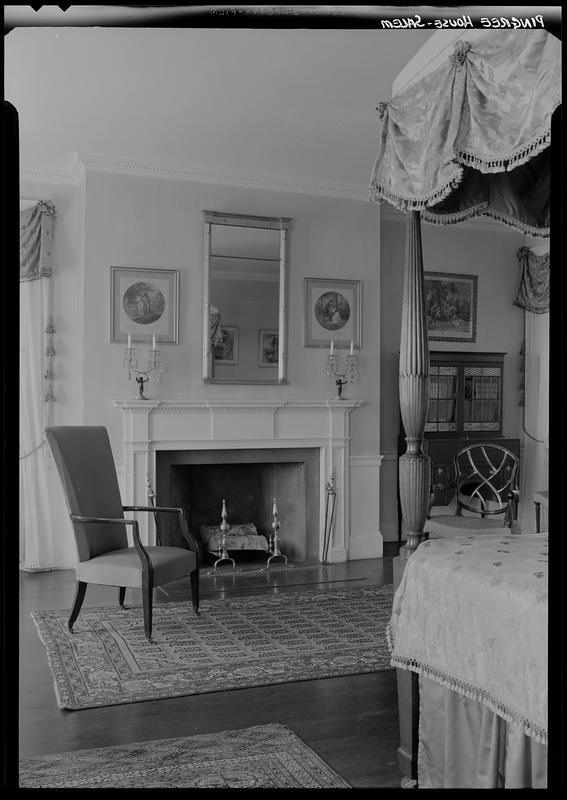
(533, 297)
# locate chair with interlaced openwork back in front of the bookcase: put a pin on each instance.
(485, 487)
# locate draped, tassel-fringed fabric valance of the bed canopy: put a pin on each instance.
(472, 137)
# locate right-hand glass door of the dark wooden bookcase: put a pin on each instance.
(481, 399)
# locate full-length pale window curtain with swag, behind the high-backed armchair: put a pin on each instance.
(36, 385)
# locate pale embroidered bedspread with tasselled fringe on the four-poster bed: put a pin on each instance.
(471, 613)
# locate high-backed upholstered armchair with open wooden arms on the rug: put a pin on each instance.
(85, 464)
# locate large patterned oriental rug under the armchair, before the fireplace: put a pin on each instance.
(234, 643)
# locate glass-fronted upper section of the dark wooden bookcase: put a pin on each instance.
(465, 394)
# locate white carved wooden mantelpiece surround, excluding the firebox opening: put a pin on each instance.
(153, 425)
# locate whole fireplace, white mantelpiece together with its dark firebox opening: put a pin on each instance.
(197, 453)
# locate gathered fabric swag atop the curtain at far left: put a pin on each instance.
(36, 236)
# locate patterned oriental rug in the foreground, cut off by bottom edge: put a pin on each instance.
(265, 756)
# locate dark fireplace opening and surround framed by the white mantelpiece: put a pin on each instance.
(248, 480)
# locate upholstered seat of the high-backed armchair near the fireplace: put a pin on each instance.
(124, 568)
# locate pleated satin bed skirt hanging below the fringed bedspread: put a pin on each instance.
(465, 745)
